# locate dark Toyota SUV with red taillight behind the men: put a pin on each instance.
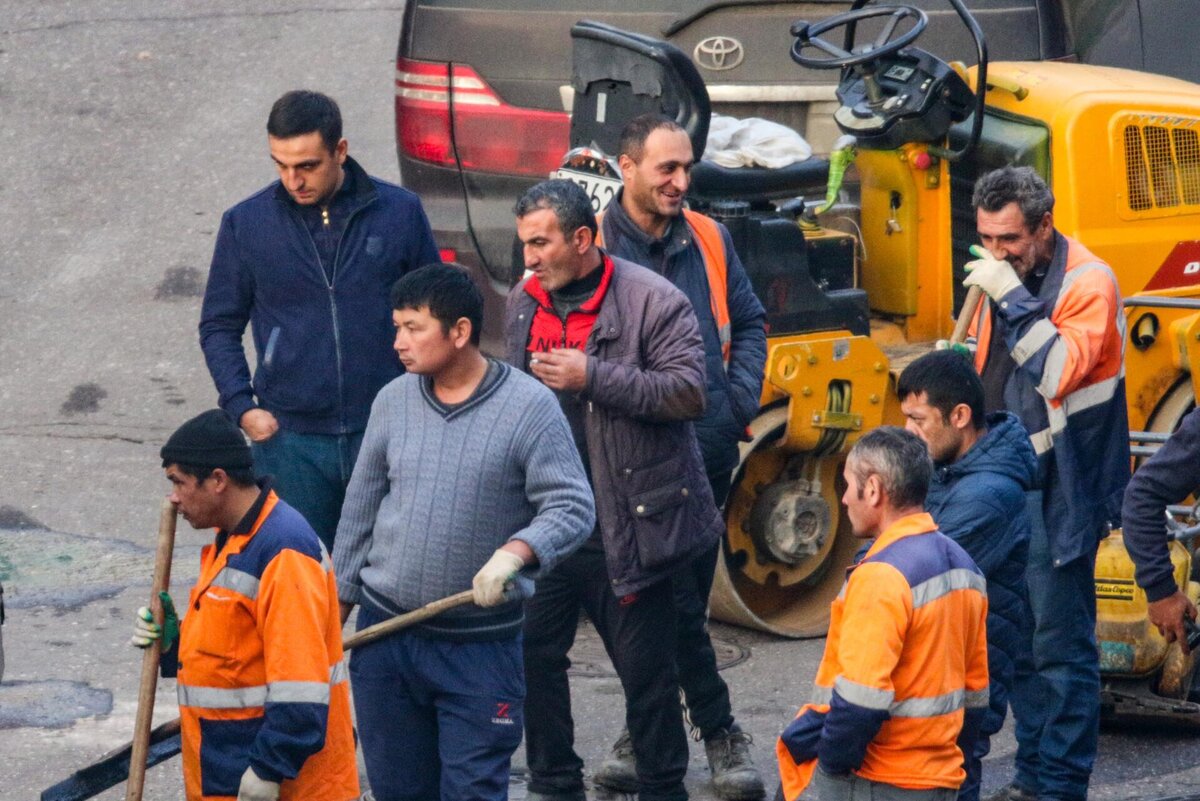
(483, 89)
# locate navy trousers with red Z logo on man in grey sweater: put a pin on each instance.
(437, 720)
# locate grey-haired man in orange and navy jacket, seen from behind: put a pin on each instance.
(903, 685)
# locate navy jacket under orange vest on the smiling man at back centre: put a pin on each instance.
(733, 395)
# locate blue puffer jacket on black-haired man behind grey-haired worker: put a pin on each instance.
(981, 502)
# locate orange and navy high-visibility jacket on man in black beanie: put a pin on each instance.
(262, 680)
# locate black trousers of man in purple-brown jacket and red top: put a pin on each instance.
(639, 633)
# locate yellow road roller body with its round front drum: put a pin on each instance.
(1121, 152)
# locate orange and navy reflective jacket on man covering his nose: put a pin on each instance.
(1069, 390)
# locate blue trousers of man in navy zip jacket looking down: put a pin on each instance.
(311, 473)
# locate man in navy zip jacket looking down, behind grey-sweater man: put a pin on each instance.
(309, 263)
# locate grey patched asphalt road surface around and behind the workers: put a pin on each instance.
(127, 128)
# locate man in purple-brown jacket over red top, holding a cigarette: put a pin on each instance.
(621, 348)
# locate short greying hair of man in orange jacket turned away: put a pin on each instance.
(902, 462)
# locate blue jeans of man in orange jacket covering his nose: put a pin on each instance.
(1057, 686)
